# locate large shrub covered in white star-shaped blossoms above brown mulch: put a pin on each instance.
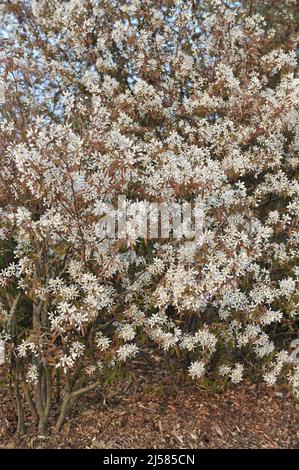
(161, 102)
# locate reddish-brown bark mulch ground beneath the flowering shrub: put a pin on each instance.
(149, 412)
